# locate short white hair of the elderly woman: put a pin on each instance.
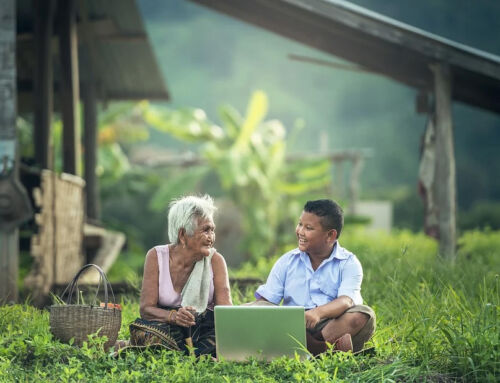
(184, 213)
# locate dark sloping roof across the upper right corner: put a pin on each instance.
(377, 43)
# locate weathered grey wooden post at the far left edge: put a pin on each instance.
(9, 240)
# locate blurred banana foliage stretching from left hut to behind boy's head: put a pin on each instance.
(246, 156)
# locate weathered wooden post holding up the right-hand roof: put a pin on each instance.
(445, 179)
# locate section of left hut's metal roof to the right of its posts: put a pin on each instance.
(125, 60)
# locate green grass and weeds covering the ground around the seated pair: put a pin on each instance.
(436, 321)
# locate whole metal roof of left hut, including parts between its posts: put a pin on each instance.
(113, 47)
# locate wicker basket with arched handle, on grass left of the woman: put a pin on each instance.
(78, 321)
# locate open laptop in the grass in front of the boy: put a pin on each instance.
(262, 332)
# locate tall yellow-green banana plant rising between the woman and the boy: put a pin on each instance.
(248, 154)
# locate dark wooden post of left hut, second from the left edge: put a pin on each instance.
(43, 80)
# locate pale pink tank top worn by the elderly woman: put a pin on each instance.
(167, 296)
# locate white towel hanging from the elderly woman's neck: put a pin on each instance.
(197, 287)
